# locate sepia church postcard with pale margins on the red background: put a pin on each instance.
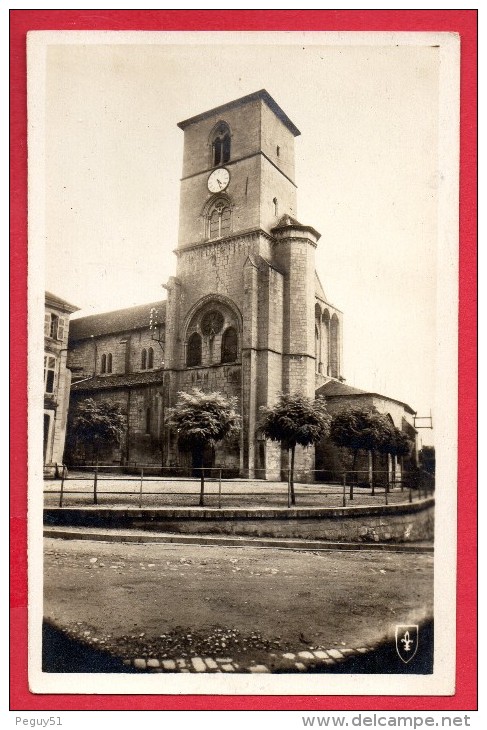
(243, 281)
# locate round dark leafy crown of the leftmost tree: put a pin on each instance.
(97, 424)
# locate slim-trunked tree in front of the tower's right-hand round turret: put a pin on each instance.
(295, 419)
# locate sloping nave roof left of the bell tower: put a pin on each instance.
(122, 320)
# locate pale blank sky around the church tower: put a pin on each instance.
(367, 171)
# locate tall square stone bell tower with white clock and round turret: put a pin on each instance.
(240, 310)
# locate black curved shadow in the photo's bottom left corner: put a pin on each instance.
(61, 653)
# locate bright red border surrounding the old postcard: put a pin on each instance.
(463, 22)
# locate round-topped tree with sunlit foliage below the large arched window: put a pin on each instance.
(200, 420)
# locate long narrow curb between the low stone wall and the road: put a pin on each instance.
(224, 541)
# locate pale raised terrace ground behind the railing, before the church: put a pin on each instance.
(112, 490)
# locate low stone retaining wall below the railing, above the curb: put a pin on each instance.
(384, 524)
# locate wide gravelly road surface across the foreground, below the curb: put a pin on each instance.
(188, 608)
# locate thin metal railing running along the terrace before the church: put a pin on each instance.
(150, 486)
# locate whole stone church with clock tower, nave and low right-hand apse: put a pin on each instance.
(245, 313)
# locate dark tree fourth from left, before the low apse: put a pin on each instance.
(361, 429)
